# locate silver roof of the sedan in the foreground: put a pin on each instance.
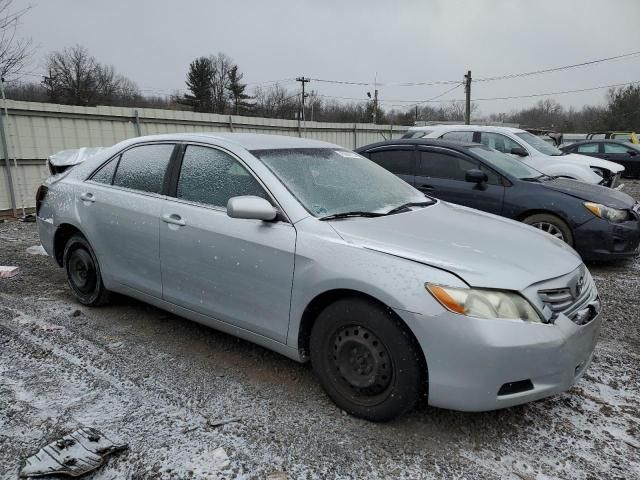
(248, 141)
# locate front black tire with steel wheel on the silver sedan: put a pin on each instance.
(366, 359)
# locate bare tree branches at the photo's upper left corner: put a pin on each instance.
(14, 53)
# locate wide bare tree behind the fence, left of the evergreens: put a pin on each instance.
(77, 78)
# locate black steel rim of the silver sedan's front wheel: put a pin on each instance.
(363, 369)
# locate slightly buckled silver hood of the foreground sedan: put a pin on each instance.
(482, 249)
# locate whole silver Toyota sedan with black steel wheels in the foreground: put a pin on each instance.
(318, 253)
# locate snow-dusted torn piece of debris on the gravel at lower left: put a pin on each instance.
(75, 454)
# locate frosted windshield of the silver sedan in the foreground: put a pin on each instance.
(330, 181)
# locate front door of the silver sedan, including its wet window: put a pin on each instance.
(237, 271)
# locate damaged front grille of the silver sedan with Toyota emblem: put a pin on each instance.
(579, 301)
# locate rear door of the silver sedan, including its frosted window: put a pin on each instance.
(119, 207)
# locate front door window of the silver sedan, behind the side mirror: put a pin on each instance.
(211, 177)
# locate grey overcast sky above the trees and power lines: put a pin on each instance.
(153, 41)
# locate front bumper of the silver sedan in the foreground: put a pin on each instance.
(469, 360)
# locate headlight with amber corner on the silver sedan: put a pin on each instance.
(484, 303)
